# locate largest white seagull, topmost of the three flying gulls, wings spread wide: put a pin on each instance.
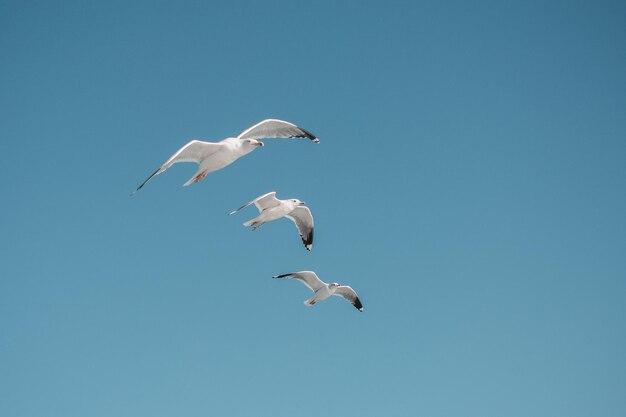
(212, 156)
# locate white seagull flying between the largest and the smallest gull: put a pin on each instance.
(271, 208)
